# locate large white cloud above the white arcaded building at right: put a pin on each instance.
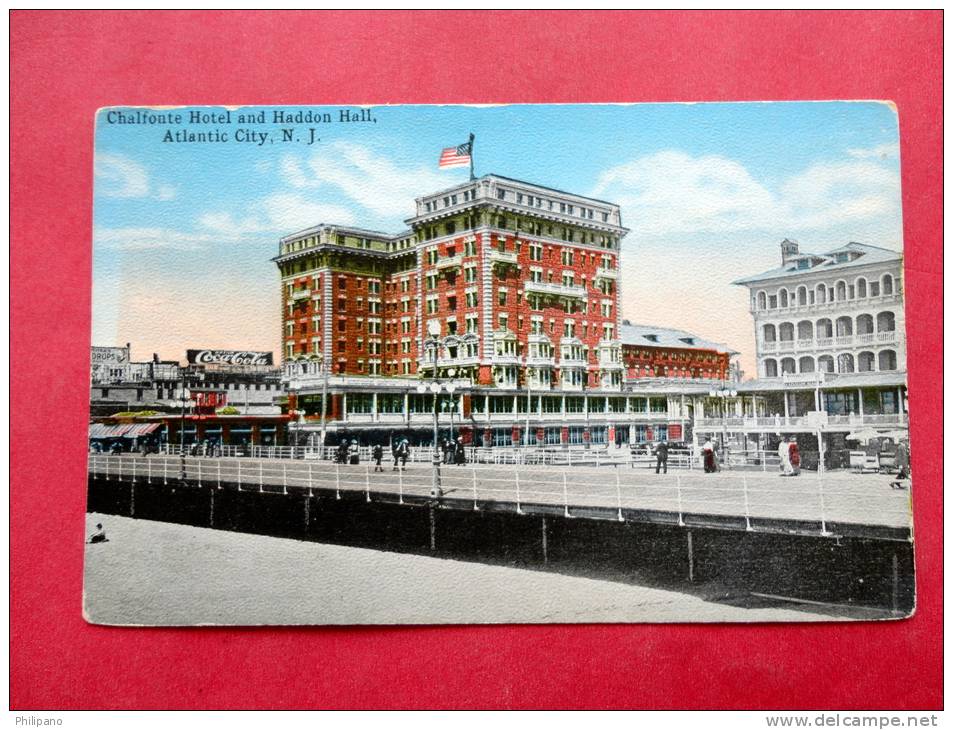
(671, 192)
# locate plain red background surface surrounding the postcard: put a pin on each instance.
(66, 65)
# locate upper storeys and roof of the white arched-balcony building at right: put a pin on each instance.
(838, 312)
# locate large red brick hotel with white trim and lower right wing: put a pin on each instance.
(522, 282)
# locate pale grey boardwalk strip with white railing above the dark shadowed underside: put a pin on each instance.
(751, 500)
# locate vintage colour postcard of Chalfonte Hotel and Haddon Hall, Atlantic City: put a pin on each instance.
(516, 363)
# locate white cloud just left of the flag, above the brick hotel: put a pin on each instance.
(371, 180)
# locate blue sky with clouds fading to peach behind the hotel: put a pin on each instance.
(183, 232)
